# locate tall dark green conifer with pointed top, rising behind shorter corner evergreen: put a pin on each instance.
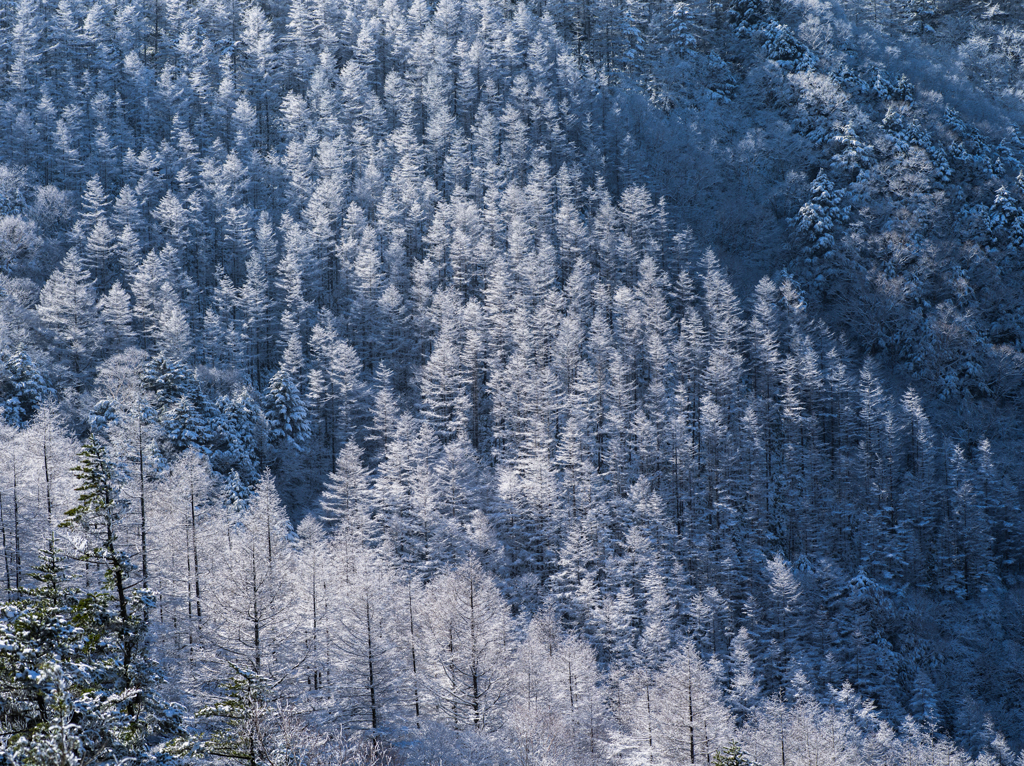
(104, 633)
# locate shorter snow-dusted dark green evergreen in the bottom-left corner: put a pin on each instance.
(64, 699)
